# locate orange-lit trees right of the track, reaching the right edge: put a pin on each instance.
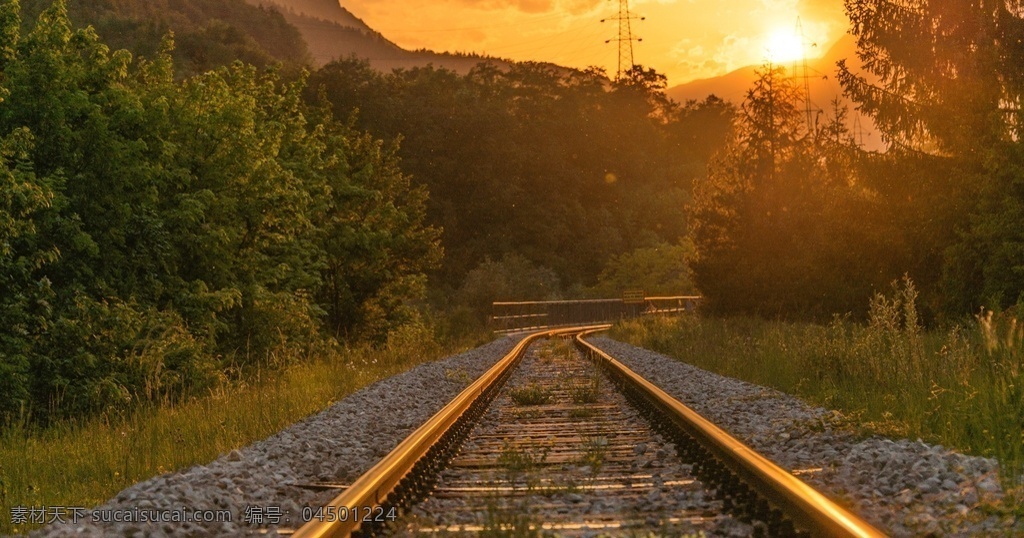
(795, 221)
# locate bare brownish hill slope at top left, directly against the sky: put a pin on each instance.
(332, 32)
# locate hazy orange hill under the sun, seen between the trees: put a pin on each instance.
(824, 87)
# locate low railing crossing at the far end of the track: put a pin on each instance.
(527, 316)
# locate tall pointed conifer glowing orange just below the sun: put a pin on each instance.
(745, 197)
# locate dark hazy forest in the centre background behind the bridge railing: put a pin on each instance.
(563, 168)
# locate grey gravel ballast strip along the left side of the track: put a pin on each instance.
(255, 483)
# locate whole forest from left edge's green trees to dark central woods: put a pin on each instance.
(168, 229)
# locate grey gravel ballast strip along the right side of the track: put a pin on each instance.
(907, 488)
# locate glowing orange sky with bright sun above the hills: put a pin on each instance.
(685, 39)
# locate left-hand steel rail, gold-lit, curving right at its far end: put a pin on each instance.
(372, 489)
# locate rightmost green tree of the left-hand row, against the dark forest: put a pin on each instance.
(376, 244)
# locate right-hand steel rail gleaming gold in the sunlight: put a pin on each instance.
(808, 509)
